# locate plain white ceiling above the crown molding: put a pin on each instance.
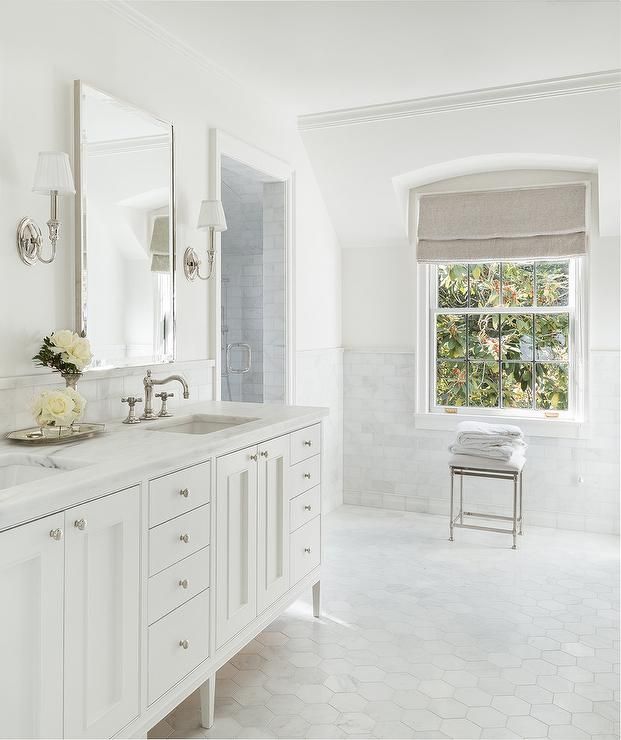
(325, 55)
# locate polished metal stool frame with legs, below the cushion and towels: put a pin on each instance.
(469, 472)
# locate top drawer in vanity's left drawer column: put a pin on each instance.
(176, 493)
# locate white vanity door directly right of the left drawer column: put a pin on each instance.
(236, 522)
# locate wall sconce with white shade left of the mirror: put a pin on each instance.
(53, 177)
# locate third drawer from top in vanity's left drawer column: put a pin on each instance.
(178, 584)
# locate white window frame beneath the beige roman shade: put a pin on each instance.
(427, 365)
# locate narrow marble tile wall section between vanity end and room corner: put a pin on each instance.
(319, 382)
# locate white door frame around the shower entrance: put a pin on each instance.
(223, 144)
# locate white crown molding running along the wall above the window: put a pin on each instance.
(519, 93)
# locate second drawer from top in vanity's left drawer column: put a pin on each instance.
(178, 538)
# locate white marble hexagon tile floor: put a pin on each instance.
(422, 638)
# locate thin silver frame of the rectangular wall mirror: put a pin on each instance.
(81, 311)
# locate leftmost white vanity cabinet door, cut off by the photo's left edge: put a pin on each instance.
(31, 629)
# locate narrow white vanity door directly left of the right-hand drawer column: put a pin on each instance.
(273, 522)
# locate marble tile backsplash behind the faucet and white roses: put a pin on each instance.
(103, 390)
